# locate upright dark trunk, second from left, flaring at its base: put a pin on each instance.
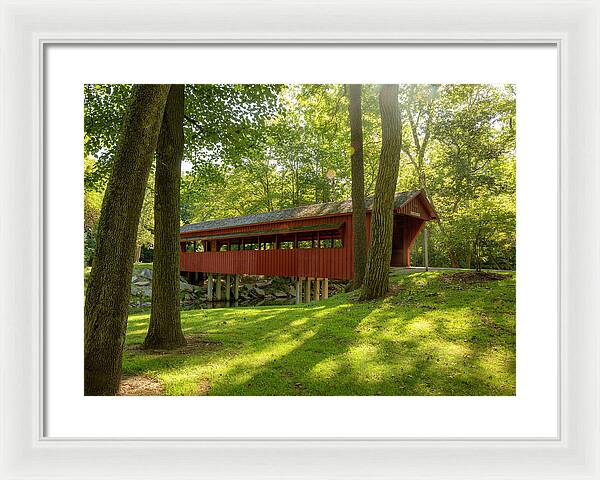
(165, 322)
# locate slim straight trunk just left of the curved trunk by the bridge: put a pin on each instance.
(358, 186)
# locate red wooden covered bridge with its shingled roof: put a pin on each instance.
(312, 241)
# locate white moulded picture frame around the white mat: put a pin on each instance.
(27, 27)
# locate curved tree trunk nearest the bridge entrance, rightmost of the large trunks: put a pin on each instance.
(382, 220)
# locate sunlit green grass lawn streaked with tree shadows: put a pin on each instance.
(438, 333)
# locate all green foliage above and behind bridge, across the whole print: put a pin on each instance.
(258, 148)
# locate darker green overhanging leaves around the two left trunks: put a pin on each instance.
(222, 124)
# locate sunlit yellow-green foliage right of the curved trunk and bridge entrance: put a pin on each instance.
(460, 149)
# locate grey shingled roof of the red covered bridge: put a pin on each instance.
(306, 211)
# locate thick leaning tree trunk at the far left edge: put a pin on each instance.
(107, 296)
